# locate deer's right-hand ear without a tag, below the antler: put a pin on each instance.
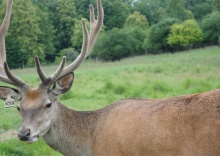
(63, 84)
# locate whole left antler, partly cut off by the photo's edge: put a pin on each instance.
(5, 73)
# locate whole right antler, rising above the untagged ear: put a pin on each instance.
(89, 40)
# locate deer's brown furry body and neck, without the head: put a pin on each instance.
(186, 125)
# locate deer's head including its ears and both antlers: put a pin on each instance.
(38, 105)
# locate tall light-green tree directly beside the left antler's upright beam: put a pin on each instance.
(23, 37)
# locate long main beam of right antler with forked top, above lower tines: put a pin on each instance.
(88, 40)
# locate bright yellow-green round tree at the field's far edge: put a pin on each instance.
(185, 34)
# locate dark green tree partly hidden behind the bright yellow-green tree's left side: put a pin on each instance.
(156, 40)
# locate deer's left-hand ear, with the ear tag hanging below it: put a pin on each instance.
(5, 91)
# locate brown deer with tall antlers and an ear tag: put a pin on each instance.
(186, 125)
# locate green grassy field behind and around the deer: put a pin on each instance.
(99, 84)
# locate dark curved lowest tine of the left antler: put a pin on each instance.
(14, 80)
